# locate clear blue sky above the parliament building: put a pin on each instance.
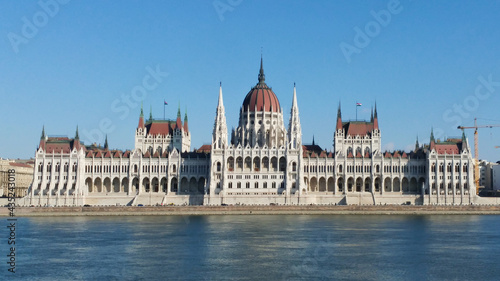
(71, 65)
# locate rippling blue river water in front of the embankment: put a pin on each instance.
(304, 247)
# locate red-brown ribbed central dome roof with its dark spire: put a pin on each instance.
(261, 97)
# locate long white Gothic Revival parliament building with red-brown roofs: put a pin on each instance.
(261, 162)
